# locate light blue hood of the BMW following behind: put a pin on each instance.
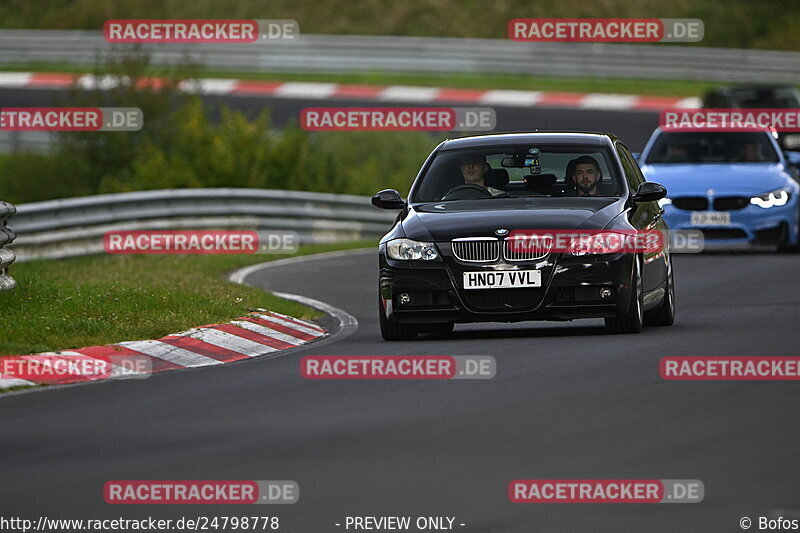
(725, 178)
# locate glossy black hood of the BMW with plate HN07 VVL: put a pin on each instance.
(444, 221)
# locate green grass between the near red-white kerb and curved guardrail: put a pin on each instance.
(95, 300)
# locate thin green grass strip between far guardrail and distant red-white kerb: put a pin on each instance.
(461, 81)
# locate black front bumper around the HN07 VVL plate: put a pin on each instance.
(570, 289)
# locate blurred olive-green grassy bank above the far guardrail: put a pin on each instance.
(768, 24)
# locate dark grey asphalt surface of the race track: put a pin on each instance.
(568, 401)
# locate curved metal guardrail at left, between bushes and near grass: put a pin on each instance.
(75, 226)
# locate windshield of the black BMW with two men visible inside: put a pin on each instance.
(516, 171)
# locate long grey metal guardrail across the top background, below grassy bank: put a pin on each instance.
(364, 53)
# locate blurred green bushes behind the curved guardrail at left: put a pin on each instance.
(183, 144)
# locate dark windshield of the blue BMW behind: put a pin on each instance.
(712, 147)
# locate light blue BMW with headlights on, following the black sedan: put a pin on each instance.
(735, 187)
